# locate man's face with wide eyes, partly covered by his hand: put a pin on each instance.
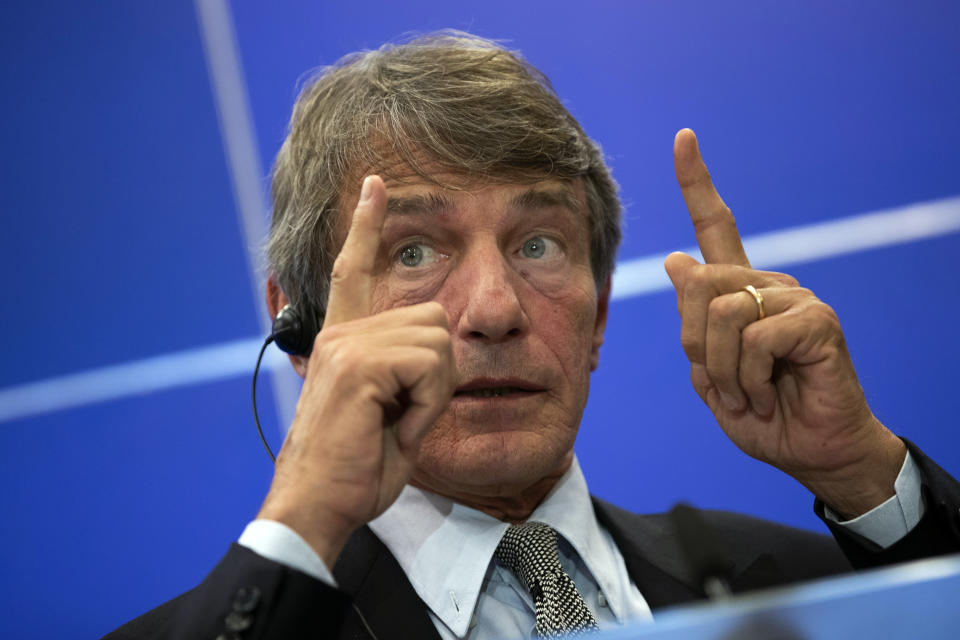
(511, 266)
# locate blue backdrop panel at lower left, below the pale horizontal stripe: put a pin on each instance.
(118, 507)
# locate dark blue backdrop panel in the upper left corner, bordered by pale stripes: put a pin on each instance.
(118, 215)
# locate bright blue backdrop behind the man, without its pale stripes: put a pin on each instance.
(122, 242)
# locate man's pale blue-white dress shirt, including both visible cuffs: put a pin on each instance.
(446, 551)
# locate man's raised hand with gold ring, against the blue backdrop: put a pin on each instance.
(782, 387)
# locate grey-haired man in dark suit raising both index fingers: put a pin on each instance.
(475, 228)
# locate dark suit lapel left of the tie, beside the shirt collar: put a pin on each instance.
(385, 598)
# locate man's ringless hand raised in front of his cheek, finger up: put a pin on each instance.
(374, 386)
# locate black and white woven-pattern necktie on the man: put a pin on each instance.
(529, 550)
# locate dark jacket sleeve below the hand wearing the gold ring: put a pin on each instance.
(937, 533)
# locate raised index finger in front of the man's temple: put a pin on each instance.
(351, 281)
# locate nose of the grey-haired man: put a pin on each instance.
(488, 289)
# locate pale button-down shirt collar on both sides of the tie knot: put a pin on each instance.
(445, 548)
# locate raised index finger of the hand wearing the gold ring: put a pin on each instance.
(713, 222)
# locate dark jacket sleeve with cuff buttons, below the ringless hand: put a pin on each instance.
(245, 596)
